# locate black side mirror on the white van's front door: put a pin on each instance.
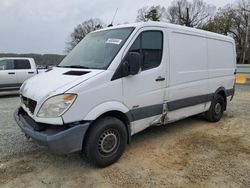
(131, 65)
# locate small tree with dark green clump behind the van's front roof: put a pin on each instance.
(153, 13)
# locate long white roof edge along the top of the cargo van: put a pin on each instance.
(174, 27)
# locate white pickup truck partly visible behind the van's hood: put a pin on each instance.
(14, 71)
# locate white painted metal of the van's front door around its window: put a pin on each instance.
(142, 90)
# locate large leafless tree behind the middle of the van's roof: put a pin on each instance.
(191, 14)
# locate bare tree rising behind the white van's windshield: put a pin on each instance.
(81, 30)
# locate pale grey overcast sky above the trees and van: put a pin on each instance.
(44, 26)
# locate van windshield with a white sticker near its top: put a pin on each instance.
(97, 50)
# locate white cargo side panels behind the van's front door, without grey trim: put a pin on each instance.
(200, 63)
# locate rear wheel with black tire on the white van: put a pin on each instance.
(216, 109)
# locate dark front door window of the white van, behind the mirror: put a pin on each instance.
(149, 45)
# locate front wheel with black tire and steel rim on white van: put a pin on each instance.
(105, 142)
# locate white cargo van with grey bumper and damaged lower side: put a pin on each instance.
(120, 80)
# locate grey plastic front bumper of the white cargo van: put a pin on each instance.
(59, 139)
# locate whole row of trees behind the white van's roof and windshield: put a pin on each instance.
(232, 19)
